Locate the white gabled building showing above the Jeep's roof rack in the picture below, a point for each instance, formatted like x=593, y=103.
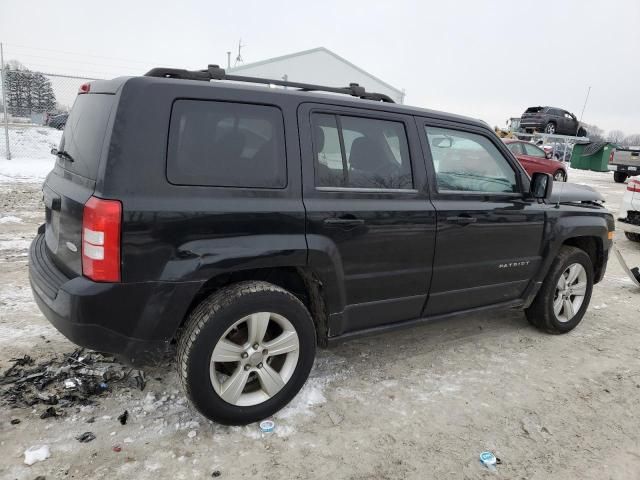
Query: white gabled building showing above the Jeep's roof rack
x=320, y=67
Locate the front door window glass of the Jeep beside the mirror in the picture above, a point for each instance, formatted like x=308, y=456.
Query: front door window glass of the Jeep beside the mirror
x=467, y=162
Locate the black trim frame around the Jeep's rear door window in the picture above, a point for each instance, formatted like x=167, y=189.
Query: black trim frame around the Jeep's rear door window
x=337, y=113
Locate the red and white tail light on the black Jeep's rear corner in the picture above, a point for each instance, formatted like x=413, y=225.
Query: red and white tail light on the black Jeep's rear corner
x=101, y=223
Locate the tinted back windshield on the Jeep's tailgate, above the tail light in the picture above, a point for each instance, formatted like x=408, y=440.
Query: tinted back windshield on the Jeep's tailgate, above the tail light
x=84, y=133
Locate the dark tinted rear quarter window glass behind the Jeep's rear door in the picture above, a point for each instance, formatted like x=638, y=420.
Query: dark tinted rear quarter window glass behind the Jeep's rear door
x=224, y=144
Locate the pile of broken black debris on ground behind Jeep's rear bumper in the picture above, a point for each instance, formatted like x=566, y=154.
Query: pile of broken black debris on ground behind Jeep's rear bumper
x=69, y=380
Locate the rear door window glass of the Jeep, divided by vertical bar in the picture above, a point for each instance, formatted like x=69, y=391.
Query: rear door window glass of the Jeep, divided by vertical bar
x=357, y=152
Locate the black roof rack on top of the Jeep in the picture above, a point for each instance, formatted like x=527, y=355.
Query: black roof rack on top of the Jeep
x=214, y=72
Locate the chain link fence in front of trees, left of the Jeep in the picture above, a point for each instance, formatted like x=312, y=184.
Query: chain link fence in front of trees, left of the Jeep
x=34, y=110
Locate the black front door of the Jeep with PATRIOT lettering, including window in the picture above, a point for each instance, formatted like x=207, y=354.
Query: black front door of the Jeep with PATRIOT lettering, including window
x=489, y=235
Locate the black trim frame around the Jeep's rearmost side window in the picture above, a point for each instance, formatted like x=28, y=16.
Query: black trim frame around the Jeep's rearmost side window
x=285, y=186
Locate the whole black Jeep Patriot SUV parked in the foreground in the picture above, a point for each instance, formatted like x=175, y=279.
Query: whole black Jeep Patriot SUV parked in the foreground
x=250, y=224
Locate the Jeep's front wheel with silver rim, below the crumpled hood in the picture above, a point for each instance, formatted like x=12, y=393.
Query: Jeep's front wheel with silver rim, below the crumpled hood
x=543, y=312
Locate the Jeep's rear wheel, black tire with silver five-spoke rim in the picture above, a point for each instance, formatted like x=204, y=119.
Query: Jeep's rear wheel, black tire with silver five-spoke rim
x=216, y=324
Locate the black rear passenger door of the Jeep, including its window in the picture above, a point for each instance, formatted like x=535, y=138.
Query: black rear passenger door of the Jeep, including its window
x=370, y=223
